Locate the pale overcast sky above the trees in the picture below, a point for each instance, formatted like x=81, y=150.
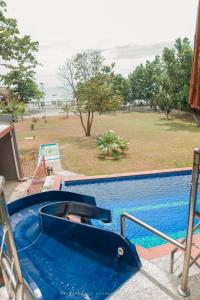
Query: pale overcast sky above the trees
x=126, y=31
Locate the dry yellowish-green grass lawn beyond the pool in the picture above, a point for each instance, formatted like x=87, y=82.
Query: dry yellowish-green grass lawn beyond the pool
x=155, y=142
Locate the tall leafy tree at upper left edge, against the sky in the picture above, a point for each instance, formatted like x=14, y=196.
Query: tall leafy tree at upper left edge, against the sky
x=18, y=56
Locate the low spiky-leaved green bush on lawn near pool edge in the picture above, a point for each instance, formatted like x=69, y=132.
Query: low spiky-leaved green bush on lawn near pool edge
x=111, y=145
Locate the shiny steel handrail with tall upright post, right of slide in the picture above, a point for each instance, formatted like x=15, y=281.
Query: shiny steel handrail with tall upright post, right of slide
x=183, y=287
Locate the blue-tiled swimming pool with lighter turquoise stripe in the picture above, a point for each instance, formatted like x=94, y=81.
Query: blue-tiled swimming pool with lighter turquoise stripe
x=161, y=200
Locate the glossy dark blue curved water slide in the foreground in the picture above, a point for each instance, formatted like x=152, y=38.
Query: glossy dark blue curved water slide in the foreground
x=66, y=259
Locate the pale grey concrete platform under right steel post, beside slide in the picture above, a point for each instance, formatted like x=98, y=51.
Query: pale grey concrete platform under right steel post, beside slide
x=152, y=283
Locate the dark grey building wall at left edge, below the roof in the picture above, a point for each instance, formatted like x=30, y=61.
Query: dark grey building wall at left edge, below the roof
x=7, y=163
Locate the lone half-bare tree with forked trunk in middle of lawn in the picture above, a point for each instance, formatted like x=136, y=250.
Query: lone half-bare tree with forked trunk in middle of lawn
x=91, y=83
